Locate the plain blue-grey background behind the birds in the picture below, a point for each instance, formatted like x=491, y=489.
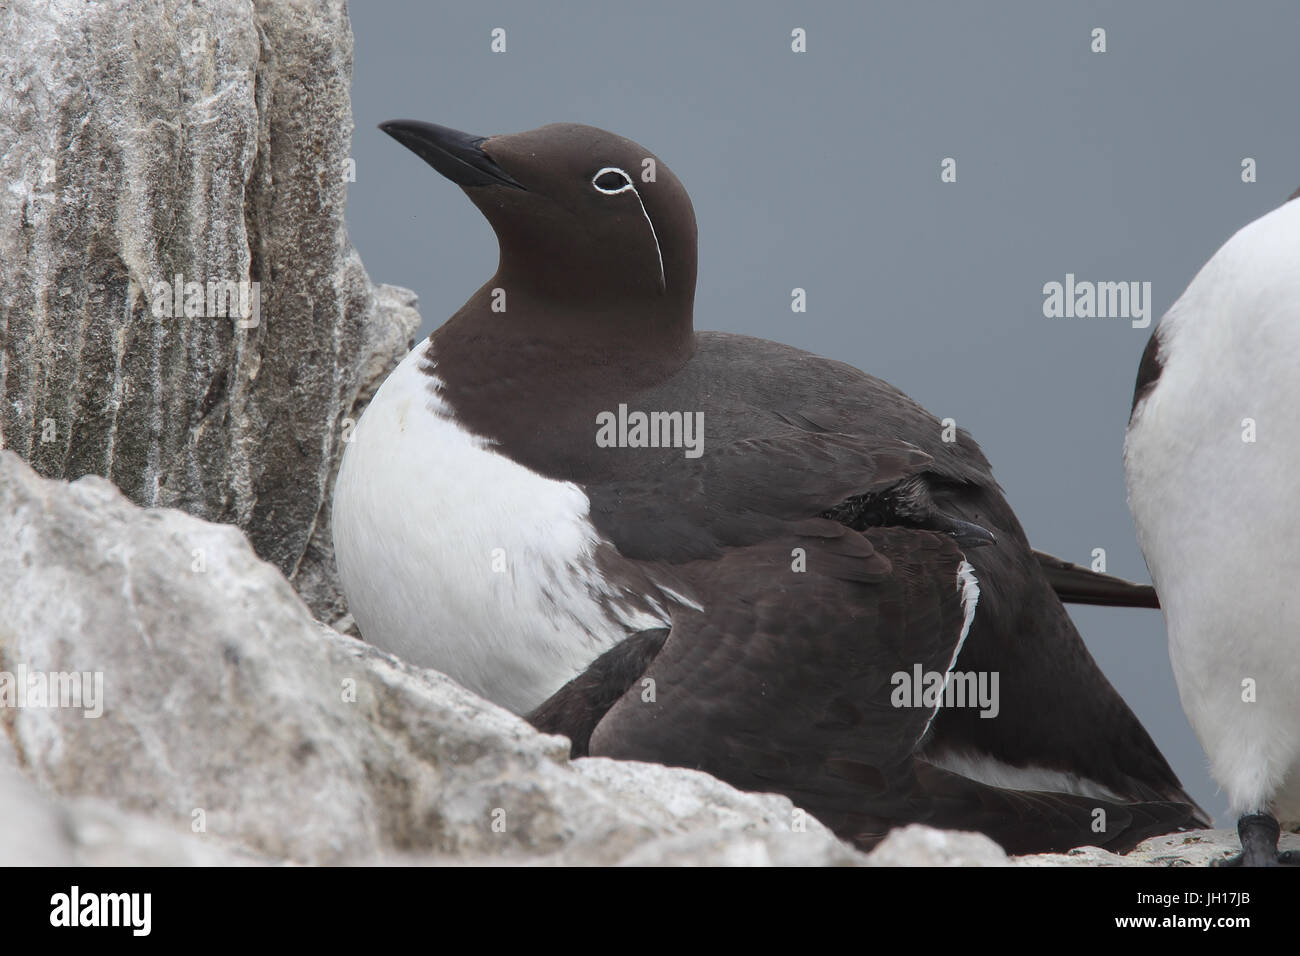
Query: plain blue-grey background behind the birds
x=821, y=171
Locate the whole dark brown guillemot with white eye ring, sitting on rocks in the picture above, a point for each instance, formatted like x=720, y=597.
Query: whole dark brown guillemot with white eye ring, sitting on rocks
x=501, y=516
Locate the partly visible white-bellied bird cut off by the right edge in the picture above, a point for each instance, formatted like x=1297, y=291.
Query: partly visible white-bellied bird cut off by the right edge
x=1211, y=458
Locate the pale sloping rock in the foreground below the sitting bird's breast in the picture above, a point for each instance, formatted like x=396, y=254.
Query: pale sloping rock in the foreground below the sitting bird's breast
x=228, y=710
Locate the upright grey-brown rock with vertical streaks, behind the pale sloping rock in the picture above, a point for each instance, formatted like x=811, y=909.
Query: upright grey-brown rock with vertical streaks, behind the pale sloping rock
x=207, y=141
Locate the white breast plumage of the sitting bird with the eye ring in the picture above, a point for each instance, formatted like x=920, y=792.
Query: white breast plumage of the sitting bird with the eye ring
x=456, y=557
